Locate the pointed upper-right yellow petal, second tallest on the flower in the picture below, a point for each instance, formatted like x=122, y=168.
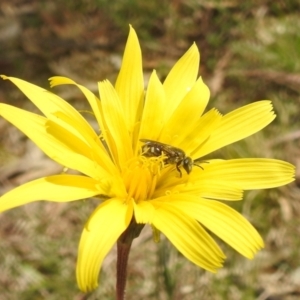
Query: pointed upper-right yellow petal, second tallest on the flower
x=181, y=79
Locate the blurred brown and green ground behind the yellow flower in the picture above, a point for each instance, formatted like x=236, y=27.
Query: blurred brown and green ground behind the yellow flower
x=250, y=50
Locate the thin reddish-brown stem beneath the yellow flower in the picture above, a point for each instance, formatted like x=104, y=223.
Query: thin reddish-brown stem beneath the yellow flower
x=123, y=249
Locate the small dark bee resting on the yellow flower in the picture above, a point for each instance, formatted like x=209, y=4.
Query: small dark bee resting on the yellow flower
x=173, y=155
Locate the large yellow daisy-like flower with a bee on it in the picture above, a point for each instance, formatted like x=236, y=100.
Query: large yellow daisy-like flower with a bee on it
x=138, y=182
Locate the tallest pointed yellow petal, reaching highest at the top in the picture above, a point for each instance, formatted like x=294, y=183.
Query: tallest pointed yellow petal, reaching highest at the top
x=130, y=82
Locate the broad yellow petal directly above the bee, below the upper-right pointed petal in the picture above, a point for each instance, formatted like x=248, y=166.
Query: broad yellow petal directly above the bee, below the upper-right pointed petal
x=186, y=114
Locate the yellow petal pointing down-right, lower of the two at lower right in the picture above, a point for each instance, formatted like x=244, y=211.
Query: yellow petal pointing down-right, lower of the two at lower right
x=188, y=236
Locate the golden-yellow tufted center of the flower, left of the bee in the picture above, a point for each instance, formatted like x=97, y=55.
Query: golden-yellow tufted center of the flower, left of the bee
x=140, y=177
